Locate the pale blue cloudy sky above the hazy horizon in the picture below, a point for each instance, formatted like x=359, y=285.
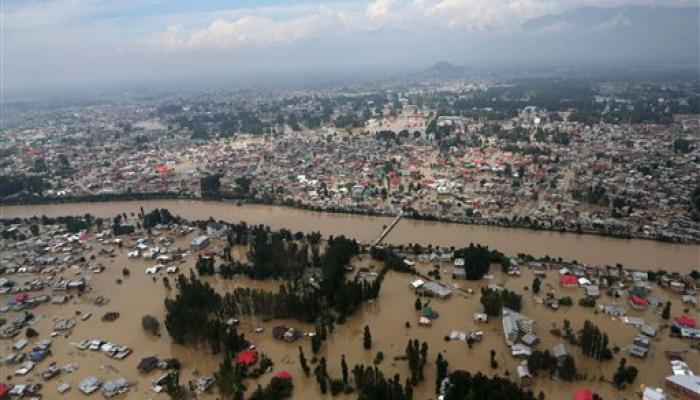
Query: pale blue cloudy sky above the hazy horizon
x=63, y=43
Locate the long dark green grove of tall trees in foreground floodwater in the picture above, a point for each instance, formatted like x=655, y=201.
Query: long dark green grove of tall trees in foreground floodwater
x=198, y=305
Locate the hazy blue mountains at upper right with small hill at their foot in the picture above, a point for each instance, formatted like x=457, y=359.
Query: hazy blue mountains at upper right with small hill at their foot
x=635, y=36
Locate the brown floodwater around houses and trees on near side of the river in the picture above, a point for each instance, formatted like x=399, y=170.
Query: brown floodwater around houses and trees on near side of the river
x=140, y=294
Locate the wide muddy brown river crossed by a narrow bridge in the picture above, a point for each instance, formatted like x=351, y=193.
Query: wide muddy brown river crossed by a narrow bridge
x=583, y=248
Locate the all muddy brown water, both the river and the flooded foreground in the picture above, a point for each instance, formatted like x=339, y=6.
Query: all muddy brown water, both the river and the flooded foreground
x=140, y=294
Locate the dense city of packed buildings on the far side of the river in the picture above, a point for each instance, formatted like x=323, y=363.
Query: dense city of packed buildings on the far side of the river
x=618, y=160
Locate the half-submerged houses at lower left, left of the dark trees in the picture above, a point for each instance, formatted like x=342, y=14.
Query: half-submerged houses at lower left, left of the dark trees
x=51, y=268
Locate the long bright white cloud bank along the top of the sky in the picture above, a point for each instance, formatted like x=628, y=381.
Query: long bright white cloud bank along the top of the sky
x=411, y=17
